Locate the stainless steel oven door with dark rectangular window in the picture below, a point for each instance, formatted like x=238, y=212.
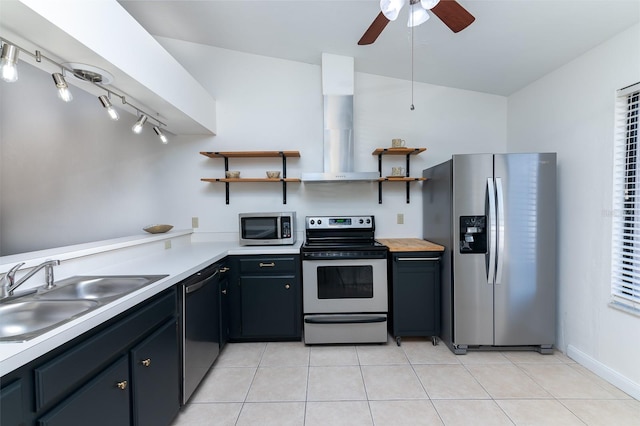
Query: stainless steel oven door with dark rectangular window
x=344, y=285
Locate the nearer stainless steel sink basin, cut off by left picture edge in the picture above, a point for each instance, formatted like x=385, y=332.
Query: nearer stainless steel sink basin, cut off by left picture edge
x=22, y=320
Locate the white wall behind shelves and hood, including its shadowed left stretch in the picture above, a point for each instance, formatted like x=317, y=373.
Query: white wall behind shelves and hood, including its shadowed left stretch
x=70, y=175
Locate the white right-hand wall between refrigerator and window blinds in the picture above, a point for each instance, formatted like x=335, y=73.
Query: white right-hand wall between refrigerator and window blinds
x=571, y=112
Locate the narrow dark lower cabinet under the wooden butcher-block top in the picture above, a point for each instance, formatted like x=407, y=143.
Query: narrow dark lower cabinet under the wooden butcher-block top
x=414, y=294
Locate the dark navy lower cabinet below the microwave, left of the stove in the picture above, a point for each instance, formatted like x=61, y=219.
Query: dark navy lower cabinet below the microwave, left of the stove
x=265, y=298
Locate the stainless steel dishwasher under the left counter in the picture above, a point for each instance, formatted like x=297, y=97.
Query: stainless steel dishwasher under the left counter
x=200, y=325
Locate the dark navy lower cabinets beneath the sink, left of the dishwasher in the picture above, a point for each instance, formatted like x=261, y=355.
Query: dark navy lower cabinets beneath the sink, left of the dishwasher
x=124, y=373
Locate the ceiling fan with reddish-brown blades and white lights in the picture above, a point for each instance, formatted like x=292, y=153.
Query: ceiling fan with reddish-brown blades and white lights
x=454, y=16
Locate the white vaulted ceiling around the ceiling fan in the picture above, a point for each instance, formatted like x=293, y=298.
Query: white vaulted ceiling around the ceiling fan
x=511, y=43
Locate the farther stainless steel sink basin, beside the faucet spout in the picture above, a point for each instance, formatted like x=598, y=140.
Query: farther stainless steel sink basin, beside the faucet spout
x=98, y=287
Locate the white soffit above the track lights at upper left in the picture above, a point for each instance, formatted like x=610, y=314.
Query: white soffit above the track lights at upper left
x=102, y=34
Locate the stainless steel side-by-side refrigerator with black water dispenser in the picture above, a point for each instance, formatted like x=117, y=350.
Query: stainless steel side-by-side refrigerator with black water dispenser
x=496, y=216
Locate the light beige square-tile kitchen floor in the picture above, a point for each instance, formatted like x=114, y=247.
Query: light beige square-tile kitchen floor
x=289, y=383
